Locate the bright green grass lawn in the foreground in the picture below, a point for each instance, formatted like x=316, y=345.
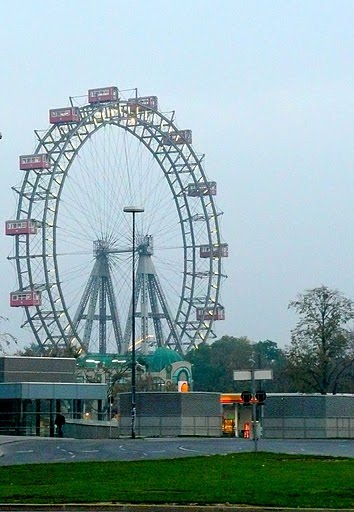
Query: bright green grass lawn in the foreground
x=246, y=478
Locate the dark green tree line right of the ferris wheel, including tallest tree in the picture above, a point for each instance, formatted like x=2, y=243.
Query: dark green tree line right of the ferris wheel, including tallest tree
x=319, y=359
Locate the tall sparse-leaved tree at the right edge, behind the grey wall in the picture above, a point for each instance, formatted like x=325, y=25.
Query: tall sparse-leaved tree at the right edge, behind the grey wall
x=322, y=349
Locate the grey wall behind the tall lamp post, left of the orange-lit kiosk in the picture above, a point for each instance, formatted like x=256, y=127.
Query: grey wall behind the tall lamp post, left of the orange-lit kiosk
x=172, y=414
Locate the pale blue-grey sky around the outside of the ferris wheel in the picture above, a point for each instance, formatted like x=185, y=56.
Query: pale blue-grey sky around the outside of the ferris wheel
x=266, y=87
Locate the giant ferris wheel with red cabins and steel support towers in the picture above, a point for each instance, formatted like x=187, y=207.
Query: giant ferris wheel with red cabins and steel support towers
x=73, y=244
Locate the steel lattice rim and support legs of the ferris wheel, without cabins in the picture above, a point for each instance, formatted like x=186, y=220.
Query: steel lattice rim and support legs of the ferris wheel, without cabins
x=36, y=257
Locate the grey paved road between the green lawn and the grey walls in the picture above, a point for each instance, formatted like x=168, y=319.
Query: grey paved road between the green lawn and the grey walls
x=29, y=450
